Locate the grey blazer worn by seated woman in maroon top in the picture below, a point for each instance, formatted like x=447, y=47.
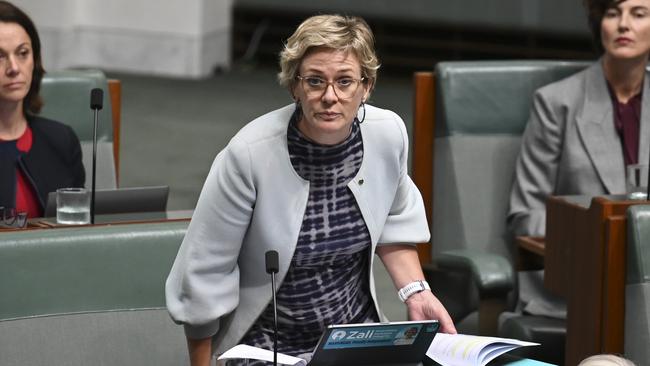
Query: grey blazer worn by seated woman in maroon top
x=570, y=147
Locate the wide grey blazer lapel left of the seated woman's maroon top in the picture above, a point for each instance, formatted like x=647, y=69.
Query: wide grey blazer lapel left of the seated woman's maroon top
x=596, y=128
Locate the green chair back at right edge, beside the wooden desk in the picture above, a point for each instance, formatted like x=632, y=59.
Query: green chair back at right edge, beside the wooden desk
x=637, y=288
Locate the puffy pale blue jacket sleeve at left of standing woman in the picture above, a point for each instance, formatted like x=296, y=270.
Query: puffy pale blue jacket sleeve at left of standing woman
x=203, y=284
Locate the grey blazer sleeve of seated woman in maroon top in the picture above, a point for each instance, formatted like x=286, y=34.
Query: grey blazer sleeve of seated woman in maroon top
x=536, y=168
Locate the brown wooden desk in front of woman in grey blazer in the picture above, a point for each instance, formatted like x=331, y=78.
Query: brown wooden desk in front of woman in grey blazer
x=585, y=263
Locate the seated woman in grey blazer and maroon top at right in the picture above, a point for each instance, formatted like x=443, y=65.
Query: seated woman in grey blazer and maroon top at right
x=584, y=130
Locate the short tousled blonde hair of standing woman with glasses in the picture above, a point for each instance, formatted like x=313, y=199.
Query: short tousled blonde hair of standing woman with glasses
x=337, y=32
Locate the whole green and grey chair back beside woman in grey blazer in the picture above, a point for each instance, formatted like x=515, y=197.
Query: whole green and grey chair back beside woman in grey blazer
x=482, y=108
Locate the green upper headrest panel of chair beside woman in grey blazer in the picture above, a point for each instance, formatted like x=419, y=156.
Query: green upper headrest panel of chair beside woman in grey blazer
x=492, y=97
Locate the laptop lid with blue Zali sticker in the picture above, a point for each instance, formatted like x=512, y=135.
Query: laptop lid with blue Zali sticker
x=398, y=343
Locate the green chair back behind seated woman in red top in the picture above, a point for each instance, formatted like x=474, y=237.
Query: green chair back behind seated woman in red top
x=66, y=97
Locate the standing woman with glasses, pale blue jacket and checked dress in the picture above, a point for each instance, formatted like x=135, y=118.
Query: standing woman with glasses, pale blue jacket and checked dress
x=324, y=182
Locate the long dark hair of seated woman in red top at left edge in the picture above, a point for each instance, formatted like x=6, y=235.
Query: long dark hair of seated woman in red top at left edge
x=11, y=14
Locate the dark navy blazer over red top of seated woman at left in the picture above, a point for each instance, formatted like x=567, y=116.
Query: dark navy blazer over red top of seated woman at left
x=54, y=161
